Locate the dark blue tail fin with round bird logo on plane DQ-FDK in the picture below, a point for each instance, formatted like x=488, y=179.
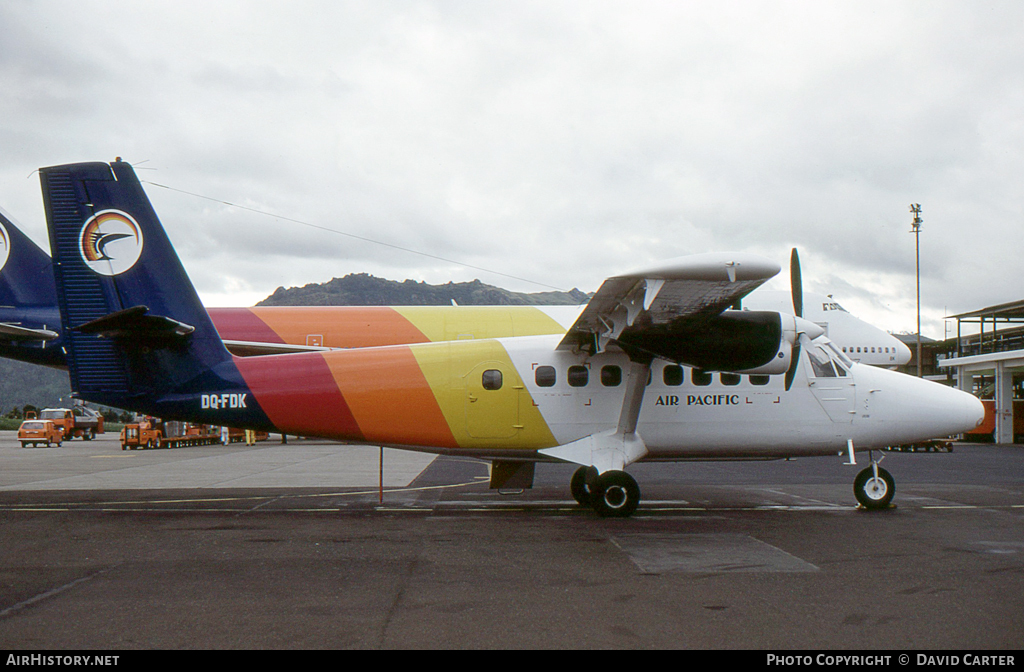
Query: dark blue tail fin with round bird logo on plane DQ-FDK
x=138, y=335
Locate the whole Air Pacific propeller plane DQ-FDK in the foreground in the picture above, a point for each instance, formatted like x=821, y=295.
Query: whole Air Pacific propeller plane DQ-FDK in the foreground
x=657, y=367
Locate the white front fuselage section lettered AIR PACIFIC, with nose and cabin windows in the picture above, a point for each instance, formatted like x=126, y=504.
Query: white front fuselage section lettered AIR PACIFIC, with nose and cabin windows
x=732, y=416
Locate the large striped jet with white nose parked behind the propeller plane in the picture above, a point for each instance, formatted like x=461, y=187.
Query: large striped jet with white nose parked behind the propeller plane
x=30, y=320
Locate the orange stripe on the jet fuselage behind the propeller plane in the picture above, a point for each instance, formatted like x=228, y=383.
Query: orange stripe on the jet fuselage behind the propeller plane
x=338, y=326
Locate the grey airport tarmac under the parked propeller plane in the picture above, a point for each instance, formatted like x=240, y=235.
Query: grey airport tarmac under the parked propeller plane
x=292, y=548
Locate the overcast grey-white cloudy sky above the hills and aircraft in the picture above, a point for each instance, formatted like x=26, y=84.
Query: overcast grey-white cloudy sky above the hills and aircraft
x=557, y=143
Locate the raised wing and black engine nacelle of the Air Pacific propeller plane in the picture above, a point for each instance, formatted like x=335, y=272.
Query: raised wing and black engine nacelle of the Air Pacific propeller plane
x=675, y=311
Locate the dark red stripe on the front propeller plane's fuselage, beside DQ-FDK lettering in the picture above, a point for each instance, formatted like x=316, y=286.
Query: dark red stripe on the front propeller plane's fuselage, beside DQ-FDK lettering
x=300, y=395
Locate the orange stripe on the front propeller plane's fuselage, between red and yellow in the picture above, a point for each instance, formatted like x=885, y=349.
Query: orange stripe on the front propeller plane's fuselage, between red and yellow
x=390, y=397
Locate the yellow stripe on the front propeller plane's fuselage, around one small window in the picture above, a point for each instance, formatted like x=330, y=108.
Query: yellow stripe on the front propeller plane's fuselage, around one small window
x=505, y=418
